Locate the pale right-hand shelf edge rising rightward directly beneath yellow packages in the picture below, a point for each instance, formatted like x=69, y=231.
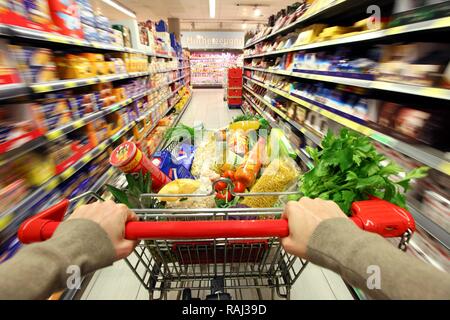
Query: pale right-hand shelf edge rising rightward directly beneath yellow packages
x=431, y=25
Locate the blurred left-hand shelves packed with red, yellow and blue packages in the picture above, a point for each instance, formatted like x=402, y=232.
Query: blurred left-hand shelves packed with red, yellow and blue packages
x=63, y=111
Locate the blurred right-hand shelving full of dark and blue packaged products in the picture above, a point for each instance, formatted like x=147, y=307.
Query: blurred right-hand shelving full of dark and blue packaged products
x=310, y=71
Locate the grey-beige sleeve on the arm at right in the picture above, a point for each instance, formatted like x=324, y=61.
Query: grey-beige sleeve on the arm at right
x=337, y=244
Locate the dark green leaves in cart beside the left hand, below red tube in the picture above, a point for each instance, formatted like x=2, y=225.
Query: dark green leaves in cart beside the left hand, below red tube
x=138, y=184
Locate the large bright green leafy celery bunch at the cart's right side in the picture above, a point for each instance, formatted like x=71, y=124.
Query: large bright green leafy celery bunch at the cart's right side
x=349, y=169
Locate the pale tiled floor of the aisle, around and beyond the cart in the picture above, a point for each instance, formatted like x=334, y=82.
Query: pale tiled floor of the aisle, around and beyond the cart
x=119, y=282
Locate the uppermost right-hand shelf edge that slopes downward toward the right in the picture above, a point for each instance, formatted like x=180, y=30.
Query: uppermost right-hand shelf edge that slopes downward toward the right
x=429, y=92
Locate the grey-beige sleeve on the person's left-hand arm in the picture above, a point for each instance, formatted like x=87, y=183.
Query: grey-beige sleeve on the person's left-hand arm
x=40, y=269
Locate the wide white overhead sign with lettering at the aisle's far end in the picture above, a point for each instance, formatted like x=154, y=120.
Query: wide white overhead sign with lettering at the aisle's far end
x=212, y=40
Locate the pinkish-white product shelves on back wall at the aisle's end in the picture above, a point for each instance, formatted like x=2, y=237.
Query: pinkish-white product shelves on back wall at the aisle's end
x=209, y=68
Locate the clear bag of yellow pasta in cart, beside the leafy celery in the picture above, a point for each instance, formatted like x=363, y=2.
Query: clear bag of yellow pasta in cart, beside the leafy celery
x=277, y=177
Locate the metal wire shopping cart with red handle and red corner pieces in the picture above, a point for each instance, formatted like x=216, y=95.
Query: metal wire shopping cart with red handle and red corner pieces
x=185, y=250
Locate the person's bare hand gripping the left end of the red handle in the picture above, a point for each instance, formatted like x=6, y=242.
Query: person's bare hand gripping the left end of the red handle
x=112, y=218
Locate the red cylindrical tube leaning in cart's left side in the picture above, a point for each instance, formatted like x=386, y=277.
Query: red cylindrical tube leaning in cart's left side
x=128, y=158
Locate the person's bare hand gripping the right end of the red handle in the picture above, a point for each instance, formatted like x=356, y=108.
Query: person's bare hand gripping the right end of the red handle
x=303, y=218
